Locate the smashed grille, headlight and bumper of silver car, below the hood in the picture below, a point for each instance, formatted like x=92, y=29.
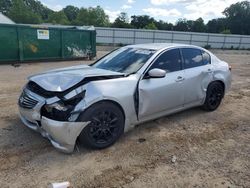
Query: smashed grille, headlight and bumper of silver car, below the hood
x=52, y=115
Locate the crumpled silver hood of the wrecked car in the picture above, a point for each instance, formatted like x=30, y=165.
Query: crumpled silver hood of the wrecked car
x=59, y=80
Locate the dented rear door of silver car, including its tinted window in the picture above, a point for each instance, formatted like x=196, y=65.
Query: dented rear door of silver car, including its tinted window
x=198, y=73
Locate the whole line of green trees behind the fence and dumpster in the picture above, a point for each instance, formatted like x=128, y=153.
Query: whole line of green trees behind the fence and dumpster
x=236, y=21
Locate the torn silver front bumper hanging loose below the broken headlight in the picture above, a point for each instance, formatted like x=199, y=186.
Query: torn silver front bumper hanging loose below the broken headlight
x=61, y=134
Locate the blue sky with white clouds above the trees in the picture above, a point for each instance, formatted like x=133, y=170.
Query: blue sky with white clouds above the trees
x=166, y=10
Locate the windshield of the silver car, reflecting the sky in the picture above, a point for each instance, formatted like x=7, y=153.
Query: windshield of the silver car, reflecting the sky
x=125, y=60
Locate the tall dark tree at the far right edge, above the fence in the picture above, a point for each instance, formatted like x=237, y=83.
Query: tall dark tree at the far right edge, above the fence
x=238, y=17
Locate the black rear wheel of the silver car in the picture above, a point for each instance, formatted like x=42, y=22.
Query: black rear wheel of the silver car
x=215, y=93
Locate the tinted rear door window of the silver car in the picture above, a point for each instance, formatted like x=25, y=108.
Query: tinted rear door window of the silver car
x=192, y=57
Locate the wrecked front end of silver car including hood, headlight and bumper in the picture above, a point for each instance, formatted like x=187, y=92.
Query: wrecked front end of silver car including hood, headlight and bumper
x=52, y=101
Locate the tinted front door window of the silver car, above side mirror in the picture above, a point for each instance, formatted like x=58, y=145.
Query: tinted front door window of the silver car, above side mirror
x=169, y=61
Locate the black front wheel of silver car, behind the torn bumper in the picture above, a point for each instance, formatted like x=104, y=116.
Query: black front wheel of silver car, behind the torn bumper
x=105, y=127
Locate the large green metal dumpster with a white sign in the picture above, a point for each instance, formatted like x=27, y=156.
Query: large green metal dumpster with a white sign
x=38, y=42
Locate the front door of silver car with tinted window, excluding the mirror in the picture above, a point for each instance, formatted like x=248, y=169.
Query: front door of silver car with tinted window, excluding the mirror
x=157, y=95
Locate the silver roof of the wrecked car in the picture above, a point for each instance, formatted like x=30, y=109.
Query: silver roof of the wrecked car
x=159, y=46
